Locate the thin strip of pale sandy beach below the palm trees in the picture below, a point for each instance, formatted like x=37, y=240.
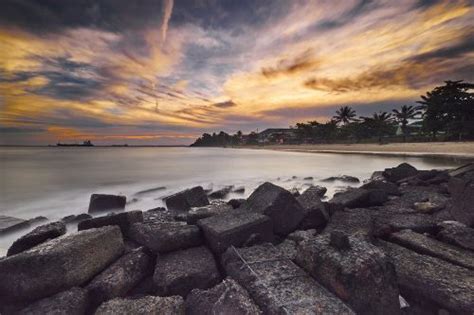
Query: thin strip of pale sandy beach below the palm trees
x=441, y=149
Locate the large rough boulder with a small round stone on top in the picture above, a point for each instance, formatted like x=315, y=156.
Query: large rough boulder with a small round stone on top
x=356, y=271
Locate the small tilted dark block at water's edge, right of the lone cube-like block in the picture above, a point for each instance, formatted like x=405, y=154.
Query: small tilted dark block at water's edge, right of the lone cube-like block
x=186, y=199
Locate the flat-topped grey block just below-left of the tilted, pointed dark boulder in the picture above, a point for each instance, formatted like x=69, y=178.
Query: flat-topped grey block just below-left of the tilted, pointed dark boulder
x=234, y=228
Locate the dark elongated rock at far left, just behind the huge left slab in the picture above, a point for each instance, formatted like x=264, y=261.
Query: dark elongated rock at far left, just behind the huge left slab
x=39, y=235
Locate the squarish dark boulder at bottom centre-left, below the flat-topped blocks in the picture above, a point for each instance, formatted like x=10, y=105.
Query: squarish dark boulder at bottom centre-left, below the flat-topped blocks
x=179, y=272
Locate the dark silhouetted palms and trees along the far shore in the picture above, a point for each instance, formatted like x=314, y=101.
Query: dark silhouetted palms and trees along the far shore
x=445, y=113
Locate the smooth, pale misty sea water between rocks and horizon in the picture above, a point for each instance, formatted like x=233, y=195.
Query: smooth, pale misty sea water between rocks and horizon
x=55, y=182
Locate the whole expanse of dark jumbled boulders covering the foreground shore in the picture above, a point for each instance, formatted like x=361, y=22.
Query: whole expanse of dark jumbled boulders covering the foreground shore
x=401, y=243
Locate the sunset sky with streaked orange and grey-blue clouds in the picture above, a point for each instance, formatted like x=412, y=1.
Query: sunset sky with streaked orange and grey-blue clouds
x=163, y=72
